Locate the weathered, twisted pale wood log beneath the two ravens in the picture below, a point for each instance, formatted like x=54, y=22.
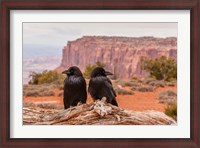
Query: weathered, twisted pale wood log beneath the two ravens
x=97, y=113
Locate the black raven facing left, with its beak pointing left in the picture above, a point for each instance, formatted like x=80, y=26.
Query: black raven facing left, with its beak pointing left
x=74, y=87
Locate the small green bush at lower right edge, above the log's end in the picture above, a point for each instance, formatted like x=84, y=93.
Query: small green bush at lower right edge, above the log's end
x=171, y=110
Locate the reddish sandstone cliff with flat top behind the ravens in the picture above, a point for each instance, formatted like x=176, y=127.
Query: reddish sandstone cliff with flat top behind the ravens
x=120, y=54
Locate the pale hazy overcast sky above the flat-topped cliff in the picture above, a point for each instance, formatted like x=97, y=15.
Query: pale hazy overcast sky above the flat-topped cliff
x=57, y=34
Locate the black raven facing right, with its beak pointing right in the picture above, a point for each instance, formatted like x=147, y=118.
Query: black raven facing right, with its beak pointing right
x=100, y=86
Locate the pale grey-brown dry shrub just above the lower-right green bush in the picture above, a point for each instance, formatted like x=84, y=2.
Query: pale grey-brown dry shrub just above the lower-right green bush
x=167, y=96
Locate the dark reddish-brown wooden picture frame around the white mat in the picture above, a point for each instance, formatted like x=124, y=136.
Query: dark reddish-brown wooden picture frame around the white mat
x=7, y=5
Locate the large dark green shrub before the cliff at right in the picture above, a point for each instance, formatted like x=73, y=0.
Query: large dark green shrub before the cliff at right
x=161, y=68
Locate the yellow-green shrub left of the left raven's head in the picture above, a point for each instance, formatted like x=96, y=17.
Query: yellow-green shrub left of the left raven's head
x=46, y=77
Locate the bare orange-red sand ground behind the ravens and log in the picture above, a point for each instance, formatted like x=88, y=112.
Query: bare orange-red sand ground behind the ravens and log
x=138, y=101
